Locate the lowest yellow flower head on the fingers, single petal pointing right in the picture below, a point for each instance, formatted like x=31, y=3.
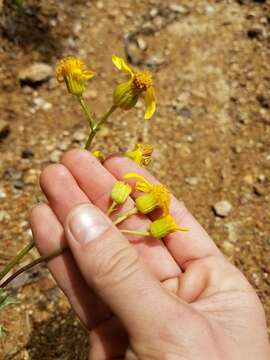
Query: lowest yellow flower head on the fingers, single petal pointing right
x=164, y=226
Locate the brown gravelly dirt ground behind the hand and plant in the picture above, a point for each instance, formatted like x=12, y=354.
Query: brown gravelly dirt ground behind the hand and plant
x=211, y=132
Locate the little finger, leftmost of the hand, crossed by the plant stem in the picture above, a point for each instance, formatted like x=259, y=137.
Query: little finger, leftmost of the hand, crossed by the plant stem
x=49, y=236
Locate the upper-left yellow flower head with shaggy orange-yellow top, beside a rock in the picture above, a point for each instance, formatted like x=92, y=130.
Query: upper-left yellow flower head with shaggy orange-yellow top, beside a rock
x=72, y=71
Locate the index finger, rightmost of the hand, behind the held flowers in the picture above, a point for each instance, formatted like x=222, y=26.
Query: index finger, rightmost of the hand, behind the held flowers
x=184, y=247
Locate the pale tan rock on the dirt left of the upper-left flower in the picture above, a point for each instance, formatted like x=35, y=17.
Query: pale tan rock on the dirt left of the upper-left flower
x=36, y=73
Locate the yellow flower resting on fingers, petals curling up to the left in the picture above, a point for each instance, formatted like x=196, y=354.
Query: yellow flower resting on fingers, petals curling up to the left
x=157, y=195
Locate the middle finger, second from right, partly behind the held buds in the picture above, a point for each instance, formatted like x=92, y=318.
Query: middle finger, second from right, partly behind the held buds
x=96, y=182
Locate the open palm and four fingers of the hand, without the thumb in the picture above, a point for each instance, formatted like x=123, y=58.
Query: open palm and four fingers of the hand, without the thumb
x=218, y=309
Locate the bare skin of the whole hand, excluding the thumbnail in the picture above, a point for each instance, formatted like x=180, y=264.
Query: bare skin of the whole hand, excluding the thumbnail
x=144, y=298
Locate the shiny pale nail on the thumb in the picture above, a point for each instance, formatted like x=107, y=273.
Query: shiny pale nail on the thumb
x=86, y=223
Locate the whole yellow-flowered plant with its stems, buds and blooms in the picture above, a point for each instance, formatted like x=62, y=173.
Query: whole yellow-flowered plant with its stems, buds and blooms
x=74, y=73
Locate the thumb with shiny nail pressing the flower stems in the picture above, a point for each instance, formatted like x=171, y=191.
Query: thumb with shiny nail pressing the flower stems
x=113, y=268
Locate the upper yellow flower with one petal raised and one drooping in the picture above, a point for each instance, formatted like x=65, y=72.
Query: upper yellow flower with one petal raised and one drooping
x=127, y=94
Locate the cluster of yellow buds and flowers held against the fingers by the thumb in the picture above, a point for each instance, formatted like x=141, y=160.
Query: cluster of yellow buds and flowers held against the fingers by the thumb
x=156, y=196
